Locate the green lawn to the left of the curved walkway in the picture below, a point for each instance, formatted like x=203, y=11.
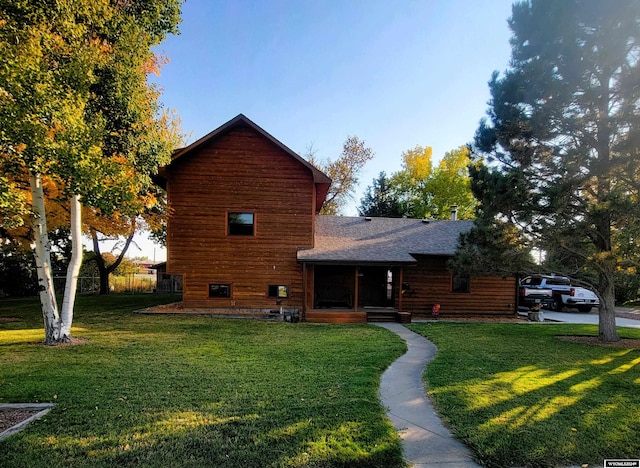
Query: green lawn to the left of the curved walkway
x=195, y=391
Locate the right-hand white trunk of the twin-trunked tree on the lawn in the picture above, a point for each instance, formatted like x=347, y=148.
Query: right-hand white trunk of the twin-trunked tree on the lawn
x=73, y=270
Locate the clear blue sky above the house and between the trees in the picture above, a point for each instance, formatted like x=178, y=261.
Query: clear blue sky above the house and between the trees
x=395, y=73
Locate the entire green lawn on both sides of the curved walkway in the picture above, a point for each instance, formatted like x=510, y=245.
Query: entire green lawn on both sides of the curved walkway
x=194, y=391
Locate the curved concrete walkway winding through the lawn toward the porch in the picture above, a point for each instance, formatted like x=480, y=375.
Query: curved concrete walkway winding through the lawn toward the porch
x=426, y=442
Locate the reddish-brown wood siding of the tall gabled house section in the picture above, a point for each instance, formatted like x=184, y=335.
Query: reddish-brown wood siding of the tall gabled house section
x=239, y=171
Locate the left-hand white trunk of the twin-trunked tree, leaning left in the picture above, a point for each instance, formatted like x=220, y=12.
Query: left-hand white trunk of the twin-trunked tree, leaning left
x=43, y=262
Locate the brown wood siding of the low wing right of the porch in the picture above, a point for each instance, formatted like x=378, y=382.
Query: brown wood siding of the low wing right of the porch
x=430, y=283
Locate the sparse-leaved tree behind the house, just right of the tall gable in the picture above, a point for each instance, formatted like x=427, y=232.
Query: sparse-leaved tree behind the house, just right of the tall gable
x=344, y=173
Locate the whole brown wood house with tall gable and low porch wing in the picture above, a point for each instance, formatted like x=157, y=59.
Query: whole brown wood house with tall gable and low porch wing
x=245, y=234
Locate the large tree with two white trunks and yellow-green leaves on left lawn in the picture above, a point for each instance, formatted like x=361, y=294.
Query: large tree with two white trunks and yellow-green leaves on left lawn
x=76, y=109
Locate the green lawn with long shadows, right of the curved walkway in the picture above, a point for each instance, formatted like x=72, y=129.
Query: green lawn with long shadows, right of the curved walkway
x=518, y=396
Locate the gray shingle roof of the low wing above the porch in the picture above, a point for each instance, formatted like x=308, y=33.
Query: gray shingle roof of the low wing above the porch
x=381, y=240
